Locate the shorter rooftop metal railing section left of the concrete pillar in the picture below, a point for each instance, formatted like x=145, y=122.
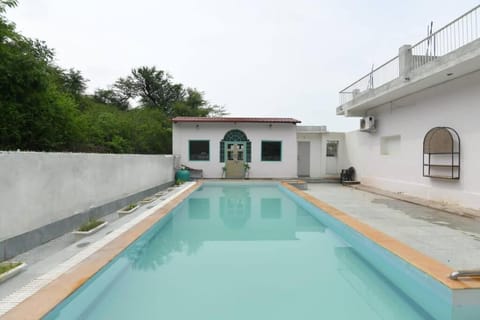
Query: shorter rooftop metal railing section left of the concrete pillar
x=377, y=77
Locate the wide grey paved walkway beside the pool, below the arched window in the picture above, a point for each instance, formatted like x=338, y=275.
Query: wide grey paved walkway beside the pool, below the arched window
x=451, y=239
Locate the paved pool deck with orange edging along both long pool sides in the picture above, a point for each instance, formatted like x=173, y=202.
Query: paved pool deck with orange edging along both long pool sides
x=434, y=235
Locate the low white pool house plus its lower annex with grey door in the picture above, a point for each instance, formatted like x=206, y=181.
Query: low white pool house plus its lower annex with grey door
x=272, y=147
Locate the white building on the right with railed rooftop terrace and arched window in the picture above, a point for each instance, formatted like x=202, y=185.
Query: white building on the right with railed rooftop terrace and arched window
x=434, y=84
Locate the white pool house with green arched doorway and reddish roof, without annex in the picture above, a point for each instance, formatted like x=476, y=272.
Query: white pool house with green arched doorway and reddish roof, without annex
x=268, y=145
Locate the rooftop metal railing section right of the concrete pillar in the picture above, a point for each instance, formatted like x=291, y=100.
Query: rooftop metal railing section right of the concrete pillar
x=454, y=35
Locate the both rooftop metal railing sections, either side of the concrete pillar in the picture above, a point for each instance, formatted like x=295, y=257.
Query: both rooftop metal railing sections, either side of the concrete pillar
x=452, y=36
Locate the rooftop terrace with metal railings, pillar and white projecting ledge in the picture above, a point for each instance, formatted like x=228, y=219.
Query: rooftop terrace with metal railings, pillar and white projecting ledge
x=446, y=54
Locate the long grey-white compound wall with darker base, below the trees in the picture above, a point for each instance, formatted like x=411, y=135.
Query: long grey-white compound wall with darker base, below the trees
x=44, y=195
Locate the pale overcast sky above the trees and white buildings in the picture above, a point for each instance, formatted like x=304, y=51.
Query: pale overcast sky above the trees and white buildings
x=255, y=57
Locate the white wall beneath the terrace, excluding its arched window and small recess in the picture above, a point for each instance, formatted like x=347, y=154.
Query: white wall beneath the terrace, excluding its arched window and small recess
x=452, y=104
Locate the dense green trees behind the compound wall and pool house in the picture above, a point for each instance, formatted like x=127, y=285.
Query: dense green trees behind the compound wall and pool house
x=44, y=107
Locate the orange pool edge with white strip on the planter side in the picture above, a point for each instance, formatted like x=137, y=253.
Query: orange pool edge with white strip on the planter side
x=35, y=304
